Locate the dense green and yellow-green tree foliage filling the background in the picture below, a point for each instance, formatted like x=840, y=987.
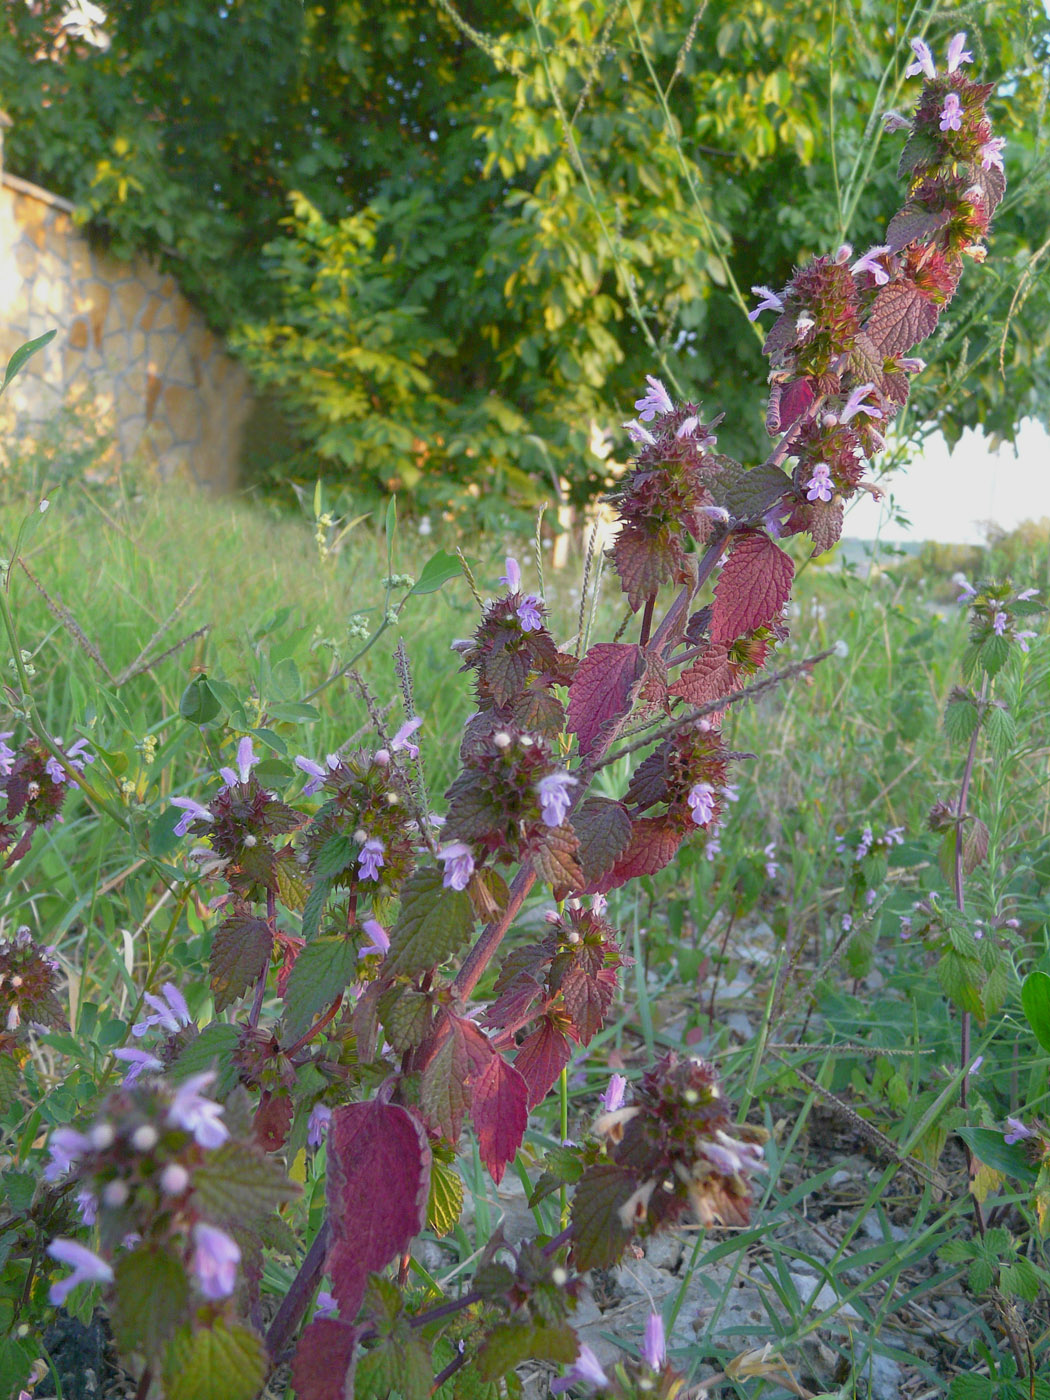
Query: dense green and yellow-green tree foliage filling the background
x=450, y=241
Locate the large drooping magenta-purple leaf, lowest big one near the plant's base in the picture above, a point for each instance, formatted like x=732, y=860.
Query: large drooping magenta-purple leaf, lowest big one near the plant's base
x=379, y=1179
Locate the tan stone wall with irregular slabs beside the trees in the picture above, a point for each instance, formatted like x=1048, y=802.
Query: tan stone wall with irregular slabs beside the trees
x=129, y=351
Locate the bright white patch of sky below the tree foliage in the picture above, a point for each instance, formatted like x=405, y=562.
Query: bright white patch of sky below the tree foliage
x=948, y=495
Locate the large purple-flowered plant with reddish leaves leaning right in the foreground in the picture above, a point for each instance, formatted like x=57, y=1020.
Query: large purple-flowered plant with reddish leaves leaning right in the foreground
x=402, y=1027
